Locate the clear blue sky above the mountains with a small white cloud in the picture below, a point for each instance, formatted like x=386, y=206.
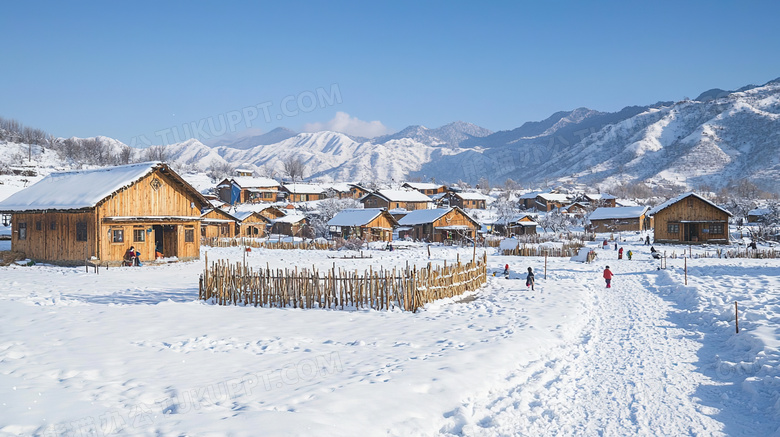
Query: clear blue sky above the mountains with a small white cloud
x=144, y=72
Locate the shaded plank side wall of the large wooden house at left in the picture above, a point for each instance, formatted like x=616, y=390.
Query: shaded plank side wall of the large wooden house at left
x=61, y=237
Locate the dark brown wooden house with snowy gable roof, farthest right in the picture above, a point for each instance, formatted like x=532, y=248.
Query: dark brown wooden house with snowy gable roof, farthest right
x=690, y=218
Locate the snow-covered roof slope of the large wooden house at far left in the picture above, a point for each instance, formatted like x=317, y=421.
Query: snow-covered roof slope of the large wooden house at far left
x=76, y=189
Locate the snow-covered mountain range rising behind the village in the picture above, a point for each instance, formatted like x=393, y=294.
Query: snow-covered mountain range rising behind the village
x=719, y=137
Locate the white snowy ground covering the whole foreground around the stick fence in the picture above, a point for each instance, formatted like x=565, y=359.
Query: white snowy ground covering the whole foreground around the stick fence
x=130, y=351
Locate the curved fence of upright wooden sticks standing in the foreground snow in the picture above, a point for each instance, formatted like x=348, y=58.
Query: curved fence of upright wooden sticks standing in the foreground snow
x=408, y=289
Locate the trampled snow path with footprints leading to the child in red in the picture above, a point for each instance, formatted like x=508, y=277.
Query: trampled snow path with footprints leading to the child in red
x=630, y=372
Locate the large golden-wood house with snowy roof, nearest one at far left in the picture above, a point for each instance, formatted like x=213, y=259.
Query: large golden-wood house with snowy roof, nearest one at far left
x=70, y=217
